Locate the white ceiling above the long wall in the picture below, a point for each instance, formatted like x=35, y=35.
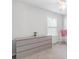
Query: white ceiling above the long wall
x=50, y=5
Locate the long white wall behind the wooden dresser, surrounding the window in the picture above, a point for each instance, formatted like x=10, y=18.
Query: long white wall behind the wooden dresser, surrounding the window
x=28, y=19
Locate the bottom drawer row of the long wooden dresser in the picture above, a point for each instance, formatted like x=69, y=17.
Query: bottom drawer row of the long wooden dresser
x=32, y=51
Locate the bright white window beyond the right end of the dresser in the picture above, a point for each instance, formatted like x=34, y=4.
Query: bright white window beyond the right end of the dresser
x=52, y=26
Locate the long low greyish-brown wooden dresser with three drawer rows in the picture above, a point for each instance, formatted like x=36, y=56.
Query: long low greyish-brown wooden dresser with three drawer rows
x=27, y=46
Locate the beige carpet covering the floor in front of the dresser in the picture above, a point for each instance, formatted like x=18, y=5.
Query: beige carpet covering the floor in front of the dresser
x=58, y=51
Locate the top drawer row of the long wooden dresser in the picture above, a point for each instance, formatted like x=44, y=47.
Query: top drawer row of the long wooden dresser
x=32, y=40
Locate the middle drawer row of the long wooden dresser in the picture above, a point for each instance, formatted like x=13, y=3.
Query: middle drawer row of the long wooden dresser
x=31, y=46
